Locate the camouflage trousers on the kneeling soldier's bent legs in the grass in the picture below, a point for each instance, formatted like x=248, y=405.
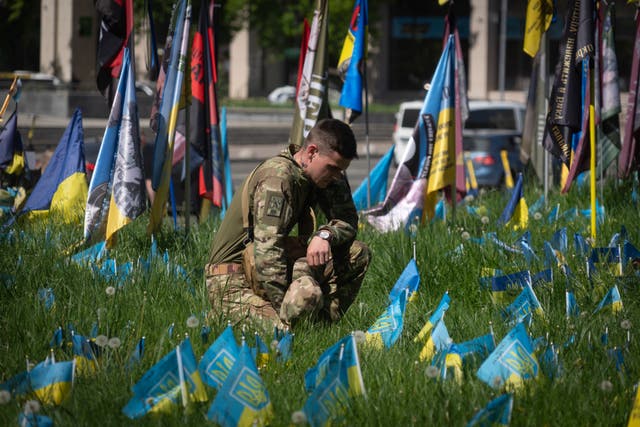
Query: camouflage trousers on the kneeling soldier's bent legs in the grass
x=317, y=293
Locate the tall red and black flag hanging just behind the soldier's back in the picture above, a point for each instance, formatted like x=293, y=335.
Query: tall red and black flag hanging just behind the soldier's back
x=204, y=117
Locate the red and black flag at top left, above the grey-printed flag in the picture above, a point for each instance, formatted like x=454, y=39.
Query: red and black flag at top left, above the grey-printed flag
x=115, y=30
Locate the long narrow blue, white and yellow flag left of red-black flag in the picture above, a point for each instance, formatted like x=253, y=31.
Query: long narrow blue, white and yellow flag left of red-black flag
x=168, y=114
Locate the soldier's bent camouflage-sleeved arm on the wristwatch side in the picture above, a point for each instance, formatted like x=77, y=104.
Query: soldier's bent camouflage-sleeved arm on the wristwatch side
x=337, y=204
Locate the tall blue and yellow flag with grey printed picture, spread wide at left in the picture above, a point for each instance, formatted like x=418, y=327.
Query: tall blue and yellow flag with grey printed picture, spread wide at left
x=117, y=193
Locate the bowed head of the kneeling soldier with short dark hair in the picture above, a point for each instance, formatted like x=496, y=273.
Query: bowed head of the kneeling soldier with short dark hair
x=327, y=151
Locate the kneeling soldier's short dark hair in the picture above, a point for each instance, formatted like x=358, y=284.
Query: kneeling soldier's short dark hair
x=334, y=135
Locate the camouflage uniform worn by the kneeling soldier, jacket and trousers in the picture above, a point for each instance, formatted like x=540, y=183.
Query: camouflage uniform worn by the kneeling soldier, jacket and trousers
x=281, y=286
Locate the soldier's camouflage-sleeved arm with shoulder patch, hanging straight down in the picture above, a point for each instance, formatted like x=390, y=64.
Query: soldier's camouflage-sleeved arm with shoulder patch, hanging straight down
x=272, y=215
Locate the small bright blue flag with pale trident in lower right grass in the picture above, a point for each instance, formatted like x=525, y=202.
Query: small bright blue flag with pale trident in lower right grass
x=512, y=362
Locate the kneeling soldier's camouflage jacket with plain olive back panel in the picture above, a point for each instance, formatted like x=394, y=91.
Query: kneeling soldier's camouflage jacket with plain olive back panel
x=279, y=198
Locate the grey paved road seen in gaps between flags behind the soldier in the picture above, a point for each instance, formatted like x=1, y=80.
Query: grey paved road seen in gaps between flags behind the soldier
x=253, y=137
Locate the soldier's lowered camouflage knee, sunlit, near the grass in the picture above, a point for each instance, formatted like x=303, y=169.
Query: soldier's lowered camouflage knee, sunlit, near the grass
x=304, y=297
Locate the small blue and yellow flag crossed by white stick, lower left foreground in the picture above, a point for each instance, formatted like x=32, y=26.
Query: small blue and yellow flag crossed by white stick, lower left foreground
x=171, y=381
